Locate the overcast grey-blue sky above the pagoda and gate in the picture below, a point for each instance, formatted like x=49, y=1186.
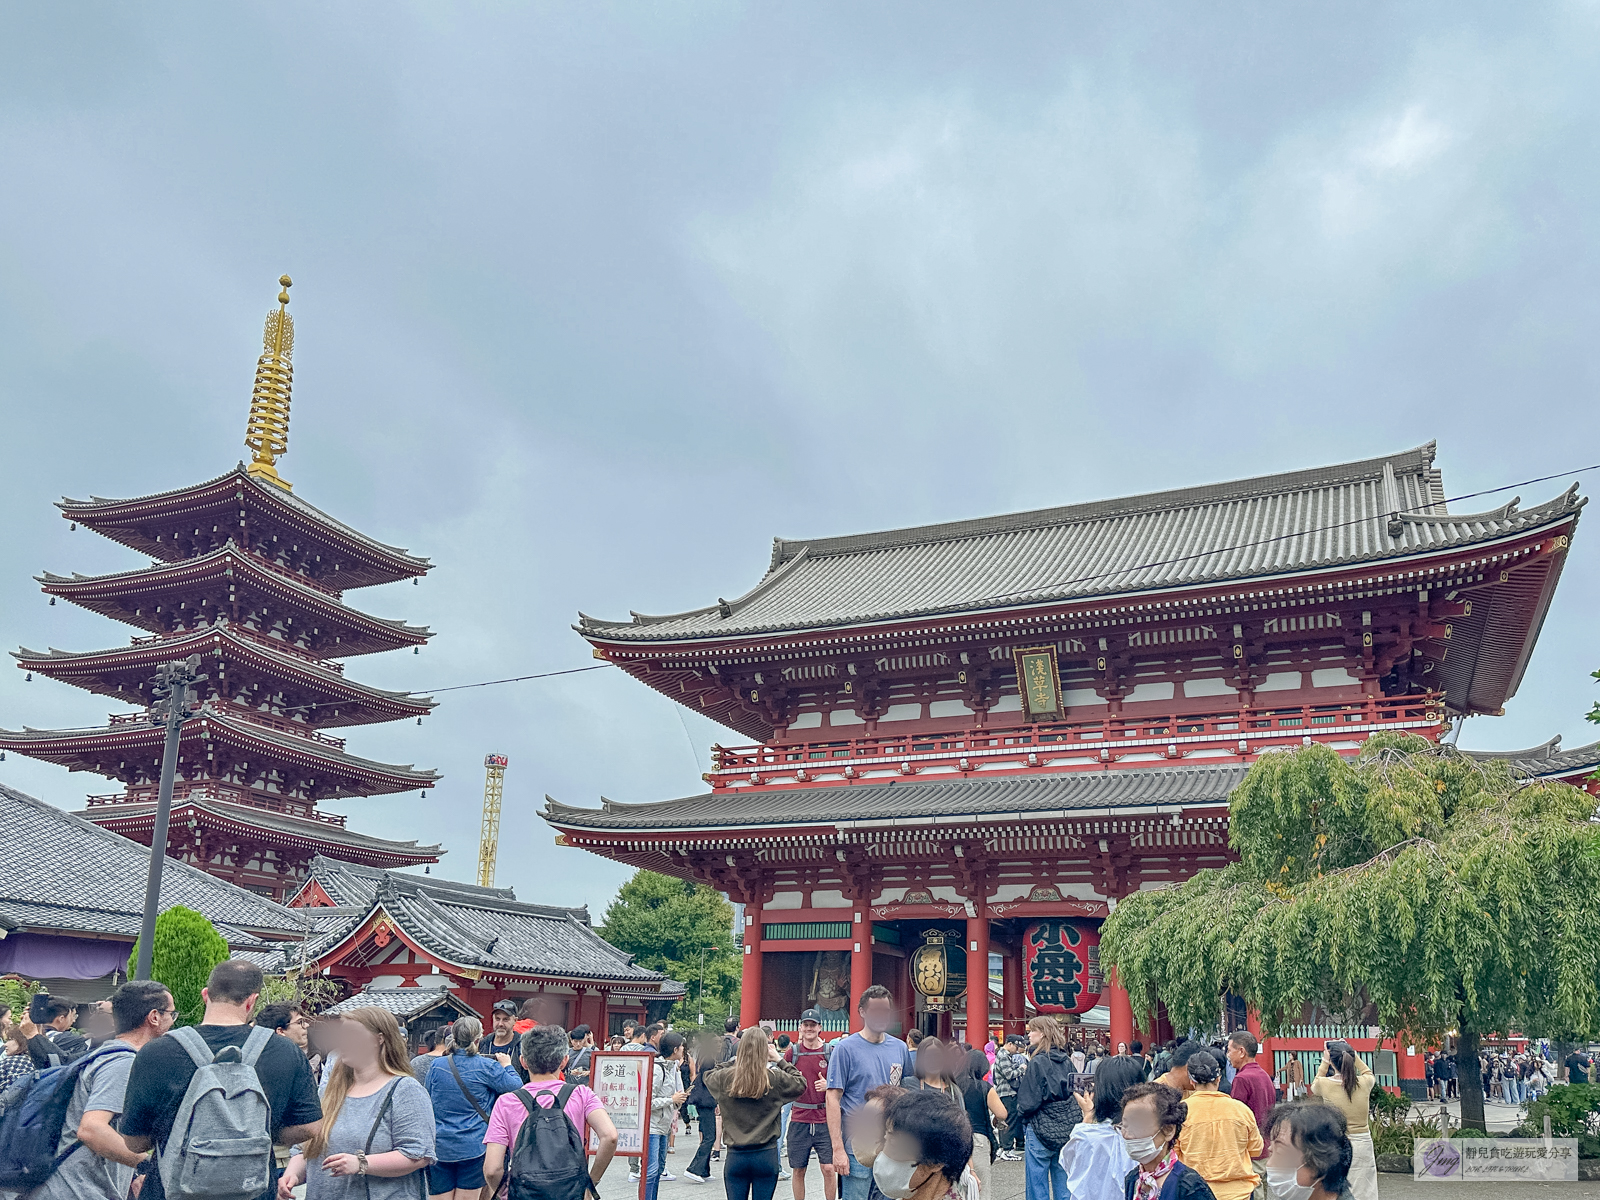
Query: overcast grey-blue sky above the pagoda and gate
x=596, y=300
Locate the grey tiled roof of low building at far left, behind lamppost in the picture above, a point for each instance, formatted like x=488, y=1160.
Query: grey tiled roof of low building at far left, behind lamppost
x=62, y=873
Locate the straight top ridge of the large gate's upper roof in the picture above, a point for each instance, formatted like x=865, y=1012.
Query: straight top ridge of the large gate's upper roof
x=1415, y=462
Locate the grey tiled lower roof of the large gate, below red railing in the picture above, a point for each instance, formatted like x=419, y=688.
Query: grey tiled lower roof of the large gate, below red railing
x=1025, y=796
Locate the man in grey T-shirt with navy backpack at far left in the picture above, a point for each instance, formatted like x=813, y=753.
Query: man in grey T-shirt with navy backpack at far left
x=76, y=1106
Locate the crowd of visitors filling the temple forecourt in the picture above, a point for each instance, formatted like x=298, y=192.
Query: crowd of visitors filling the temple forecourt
x=265, y=1103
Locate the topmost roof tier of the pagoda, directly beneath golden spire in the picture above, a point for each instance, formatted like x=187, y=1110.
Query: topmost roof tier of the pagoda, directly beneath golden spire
x=190, y=522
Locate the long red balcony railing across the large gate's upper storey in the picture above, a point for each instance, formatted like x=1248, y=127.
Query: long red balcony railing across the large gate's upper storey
x=1105, y=742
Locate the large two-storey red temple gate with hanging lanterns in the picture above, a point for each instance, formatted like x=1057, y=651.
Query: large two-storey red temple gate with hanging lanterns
x=975, y=738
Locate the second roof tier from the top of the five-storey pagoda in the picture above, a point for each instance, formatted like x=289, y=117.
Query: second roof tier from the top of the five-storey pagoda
x=239, y=585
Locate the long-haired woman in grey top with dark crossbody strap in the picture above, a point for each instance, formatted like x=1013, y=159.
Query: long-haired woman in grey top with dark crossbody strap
x=377, y=1130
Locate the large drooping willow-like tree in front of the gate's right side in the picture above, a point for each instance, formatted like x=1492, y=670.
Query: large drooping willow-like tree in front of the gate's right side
x=1441, y=890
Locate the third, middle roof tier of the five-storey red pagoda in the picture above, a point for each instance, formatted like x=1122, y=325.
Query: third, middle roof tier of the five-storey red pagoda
x=249, y=658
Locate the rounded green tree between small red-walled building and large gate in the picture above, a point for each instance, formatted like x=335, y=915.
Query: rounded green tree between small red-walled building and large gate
x=665, y=924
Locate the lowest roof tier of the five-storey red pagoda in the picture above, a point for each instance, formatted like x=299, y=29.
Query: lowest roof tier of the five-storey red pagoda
x=281, y=831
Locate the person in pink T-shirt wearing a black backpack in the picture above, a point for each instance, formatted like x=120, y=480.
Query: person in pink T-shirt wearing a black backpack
x=537, y=1134
